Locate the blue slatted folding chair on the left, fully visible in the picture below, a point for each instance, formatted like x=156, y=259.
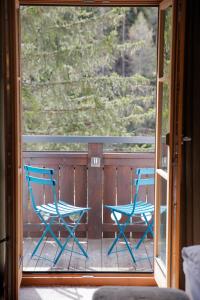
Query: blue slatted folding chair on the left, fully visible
x=52, y=211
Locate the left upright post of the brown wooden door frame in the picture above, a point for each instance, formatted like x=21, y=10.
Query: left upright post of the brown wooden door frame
x=12, y=146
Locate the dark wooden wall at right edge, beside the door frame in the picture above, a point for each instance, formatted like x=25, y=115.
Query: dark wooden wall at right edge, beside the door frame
x=190, y=200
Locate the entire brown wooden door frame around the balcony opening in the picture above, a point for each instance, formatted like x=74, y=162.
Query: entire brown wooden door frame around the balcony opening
x=13, y=150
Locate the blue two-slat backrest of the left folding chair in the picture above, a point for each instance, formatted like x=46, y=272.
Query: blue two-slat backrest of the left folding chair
x=36, y=179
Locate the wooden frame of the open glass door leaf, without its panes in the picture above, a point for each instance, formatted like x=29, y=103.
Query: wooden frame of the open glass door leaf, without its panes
x=164, y=279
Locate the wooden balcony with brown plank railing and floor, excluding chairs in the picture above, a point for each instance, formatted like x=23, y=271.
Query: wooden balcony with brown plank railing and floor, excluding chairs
x=82, y=184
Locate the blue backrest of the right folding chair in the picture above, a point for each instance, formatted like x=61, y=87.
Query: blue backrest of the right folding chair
x=141, y=181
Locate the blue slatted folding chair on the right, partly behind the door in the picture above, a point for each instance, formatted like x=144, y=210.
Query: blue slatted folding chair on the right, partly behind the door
x=136, y=208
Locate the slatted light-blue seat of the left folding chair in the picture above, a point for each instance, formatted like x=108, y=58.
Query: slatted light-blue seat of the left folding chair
x=64, y=208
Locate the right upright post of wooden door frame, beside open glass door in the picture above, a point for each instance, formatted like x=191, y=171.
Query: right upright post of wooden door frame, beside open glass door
x=177, y=91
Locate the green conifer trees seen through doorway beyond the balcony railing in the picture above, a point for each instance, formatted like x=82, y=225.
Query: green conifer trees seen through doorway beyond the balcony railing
x=88, y=71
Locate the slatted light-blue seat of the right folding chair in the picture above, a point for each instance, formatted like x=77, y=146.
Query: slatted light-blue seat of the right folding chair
x=141, y=207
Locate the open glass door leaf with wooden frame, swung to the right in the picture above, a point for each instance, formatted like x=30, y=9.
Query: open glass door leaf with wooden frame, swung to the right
x=163, y=145
